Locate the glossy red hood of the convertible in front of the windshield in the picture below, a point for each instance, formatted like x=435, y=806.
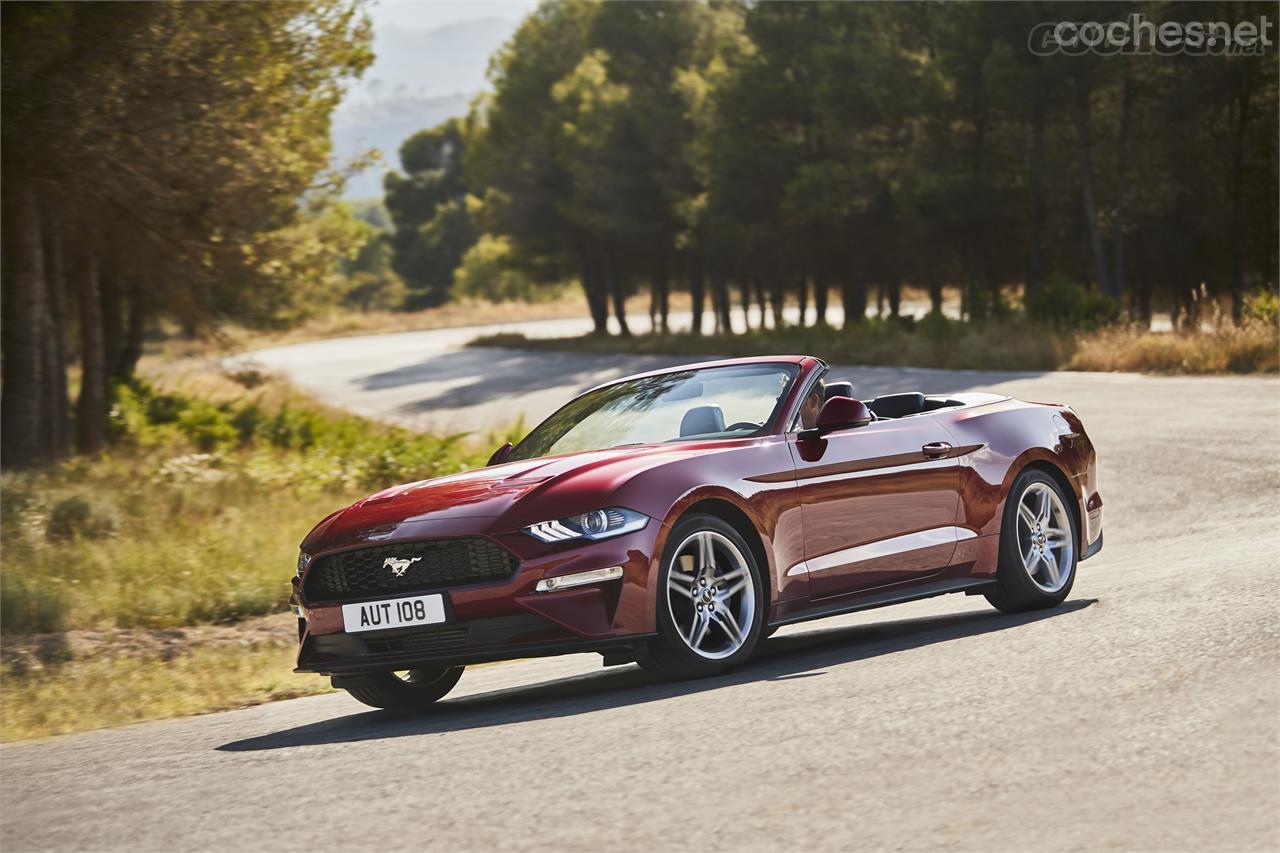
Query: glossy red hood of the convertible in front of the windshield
x=506, y=496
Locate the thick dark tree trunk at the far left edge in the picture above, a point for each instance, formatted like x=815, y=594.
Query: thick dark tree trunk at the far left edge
x=24, y=436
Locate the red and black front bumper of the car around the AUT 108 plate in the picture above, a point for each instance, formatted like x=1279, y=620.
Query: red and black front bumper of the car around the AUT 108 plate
x=506, y=619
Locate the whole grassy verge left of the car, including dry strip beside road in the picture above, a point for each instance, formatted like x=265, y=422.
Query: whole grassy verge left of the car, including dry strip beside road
x=191, y=517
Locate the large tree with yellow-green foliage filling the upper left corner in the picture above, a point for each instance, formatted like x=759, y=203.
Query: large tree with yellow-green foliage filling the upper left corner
x=157, y=154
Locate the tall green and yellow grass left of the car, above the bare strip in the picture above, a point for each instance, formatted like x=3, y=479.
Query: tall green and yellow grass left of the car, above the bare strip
x=196, y=513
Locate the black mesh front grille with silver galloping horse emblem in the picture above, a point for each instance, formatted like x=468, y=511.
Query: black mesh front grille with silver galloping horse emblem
x=435, y=564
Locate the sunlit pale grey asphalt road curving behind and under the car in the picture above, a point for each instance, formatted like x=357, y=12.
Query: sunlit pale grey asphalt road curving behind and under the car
x=1145, y=714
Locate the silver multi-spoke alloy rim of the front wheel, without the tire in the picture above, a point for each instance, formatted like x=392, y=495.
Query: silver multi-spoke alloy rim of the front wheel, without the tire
x=711, y=595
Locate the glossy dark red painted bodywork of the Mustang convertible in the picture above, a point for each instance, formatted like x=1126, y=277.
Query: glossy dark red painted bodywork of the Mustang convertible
x=838, y=521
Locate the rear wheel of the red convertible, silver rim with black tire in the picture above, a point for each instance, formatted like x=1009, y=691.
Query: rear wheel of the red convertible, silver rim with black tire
x=1037, y=546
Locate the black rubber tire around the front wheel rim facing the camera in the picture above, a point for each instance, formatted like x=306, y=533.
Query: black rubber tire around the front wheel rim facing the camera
x=669, y=655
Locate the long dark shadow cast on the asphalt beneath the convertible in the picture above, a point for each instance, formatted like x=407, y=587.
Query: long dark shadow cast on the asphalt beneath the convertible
x=779, y=660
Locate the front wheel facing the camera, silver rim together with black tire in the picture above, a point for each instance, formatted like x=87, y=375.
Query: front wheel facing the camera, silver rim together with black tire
x=711, y=601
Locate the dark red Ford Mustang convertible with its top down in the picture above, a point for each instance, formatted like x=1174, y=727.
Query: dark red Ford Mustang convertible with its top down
x=679, y=517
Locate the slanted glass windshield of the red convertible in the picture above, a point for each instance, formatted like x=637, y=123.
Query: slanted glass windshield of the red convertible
x=715, y=403
